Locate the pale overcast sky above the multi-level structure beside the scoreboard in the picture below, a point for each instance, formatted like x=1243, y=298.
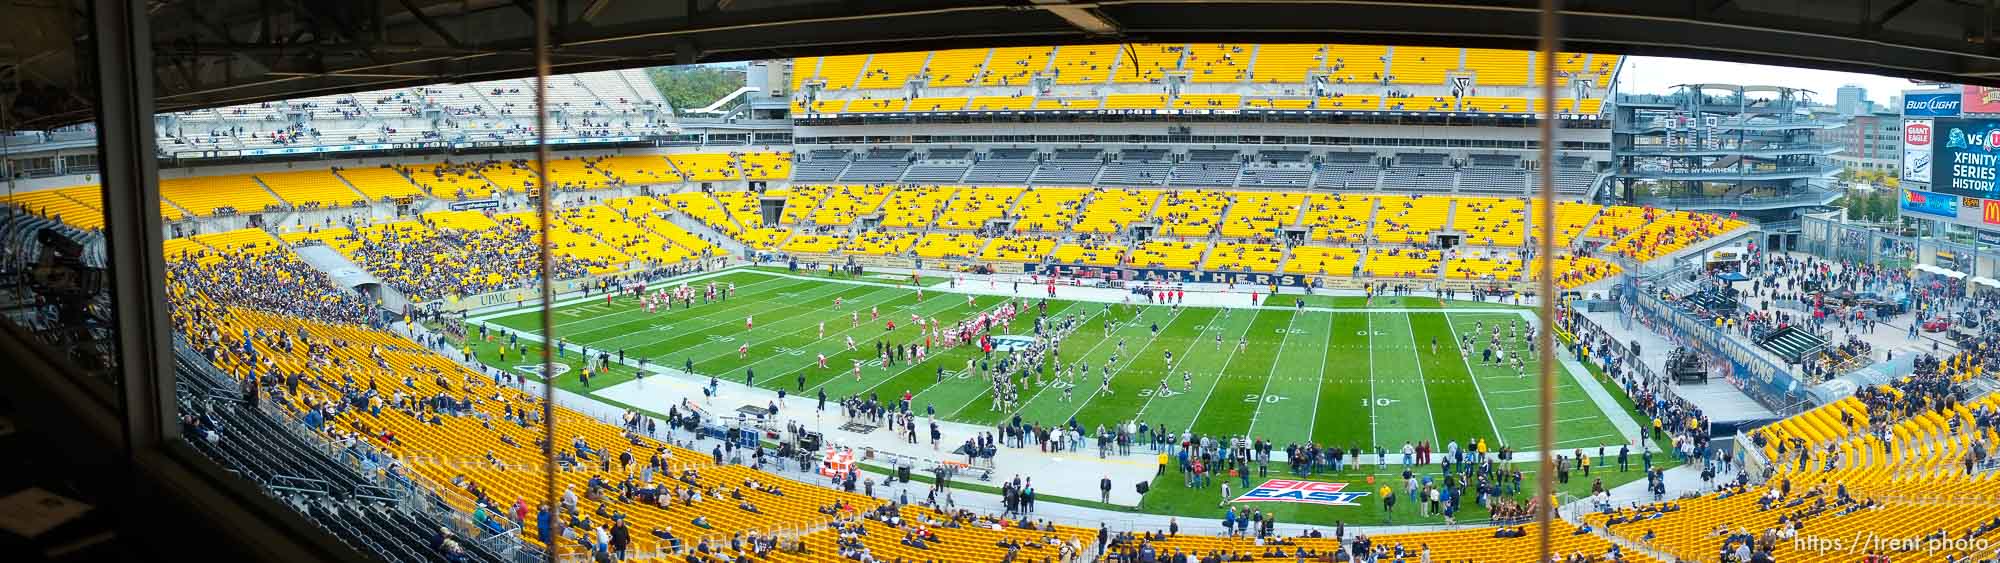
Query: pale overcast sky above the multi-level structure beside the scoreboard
x=1653, y=75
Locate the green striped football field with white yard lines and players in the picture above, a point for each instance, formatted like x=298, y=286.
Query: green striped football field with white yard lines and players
x=1343, y=372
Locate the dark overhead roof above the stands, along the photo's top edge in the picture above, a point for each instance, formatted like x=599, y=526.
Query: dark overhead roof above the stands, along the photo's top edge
x=215, y=53
